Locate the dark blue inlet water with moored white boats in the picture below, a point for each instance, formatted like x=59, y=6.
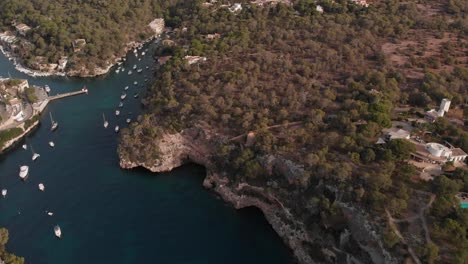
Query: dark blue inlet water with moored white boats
x=109, y=215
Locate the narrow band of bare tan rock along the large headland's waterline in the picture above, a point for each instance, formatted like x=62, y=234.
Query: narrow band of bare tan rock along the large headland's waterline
x=196, y=145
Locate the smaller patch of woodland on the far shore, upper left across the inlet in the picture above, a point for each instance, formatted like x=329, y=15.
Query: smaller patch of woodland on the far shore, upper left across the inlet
x=107, y=26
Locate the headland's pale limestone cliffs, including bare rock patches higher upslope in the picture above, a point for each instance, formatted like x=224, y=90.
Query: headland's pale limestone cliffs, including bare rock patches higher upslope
x=197, y=145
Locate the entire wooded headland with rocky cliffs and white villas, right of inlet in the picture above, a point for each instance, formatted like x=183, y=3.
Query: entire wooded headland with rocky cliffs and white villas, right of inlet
x=325, y=116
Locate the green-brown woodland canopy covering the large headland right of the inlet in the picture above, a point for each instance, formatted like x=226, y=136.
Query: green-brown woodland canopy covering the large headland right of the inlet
x=319, y=76
